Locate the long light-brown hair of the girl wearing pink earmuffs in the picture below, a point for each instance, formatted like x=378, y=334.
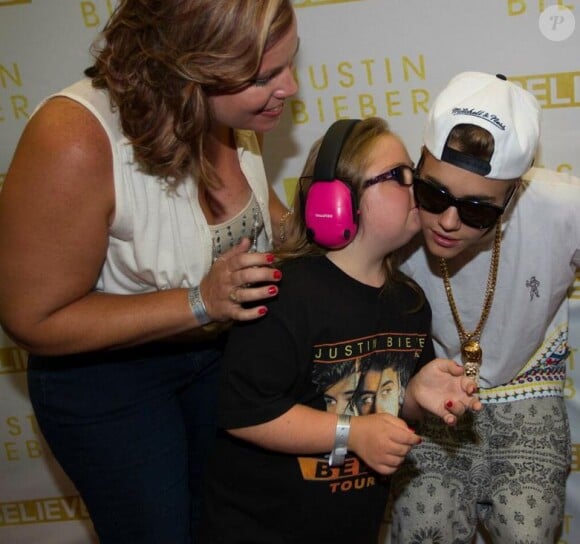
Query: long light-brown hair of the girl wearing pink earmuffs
x=352, y=165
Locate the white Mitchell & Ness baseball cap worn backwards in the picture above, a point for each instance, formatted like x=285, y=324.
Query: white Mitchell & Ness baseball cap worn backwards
x=509, y=113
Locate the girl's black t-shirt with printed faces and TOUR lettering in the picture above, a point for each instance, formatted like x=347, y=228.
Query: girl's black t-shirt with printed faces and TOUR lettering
x=333, y=344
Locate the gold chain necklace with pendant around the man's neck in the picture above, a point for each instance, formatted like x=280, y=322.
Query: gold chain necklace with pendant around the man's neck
x=470, y=347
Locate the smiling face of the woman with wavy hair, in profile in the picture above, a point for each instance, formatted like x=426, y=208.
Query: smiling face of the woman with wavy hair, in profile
x=260, y=105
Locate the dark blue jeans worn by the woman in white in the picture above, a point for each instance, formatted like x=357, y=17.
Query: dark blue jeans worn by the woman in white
x=131, y=428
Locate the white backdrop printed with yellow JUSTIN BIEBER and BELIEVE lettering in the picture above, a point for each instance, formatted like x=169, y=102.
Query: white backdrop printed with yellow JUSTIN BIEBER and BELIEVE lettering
x=357, y=58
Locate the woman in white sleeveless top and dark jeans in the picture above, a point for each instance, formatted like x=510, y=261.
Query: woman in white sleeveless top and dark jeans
x=128, y=213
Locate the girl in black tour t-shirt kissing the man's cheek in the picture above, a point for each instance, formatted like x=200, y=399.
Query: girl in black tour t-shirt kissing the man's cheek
x=295, y=385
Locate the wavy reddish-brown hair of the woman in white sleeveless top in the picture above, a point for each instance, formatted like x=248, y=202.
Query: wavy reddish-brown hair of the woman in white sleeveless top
x=161, y=59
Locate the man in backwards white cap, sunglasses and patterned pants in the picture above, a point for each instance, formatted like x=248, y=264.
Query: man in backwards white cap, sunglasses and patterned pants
x=504, y=316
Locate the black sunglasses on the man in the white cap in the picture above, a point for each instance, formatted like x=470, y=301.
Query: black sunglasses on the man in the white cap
x=474, y=213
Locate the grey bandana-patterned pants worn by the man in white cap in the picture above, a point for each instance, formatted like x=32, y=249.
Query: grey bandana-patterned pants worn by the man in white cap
x=504, y=467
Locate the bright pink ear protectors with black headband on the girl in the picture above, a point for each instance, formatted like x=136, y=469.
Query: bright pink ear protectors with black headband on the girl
x=330, y=206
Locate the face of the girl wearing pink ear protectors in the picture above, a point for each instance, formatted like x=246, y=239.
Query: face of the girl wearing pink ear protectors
x=388, y=215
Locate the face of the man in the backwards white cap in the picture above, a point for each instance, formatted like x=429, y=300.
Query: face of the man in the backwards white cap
x=446, y=235
